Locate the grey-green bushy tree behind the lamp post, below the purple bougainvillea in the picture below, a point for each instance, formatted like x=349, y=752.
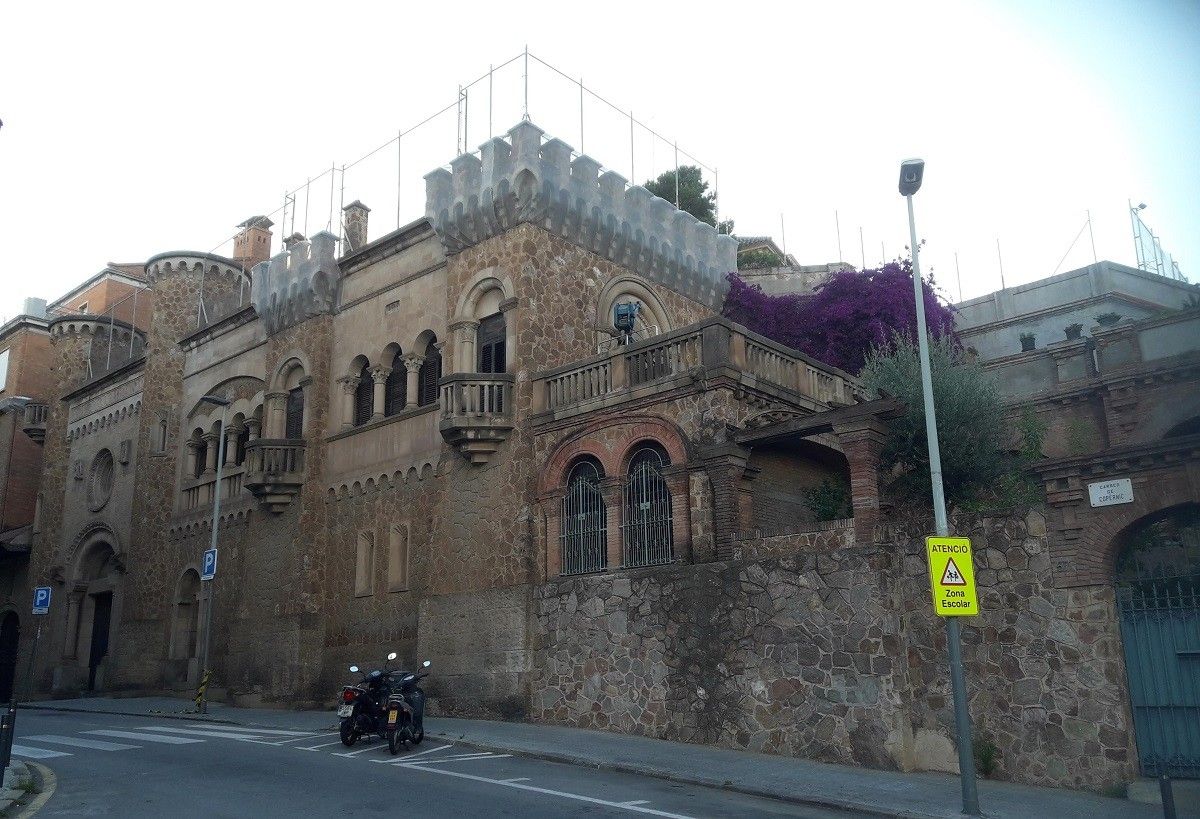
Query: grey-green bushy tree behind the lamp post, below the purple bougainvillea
x=970, y=423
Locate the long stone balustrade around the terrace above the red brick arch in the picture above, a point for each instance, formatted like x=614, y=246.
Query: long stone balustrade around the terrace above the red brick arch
x=710, y=348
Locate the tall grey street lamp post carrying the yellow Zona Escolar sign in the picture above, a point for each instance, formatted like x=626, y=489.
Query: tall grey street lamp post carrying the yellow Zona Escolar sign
x=911, y=175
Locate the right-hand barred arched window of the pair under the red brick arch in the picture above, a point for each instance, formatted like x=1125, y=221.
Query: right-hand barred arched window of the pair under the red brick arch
x=646, y=529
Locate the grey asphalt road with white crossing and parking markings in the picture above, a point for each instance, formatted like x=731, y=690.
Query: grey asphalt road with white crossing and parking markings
x=135, y=767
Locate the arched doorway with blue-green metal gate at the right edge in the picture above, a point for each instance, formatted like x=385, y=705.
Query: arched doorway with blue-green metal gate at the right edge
x=1159, y=600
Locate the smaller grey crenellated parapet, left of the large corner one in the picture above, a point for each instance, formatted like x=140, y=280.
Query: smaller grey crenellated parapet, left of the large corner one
x=301, y=283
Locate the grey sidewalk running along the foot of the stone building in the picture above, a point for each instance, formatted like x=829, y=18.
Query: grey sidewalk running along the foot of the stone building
x=921, y=796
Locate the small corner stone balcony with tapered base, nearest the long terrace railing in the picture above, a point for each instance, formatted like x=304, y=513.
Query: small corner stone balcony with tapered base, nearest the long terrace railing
x=477, y=413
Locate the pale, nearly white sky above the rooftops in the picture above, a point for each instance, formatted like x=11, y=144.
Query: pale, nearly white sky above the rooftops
x=136, y=129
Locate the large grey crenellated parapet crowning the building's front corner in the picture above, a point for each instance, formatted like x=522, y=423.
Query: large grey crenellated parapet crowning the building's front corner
x=525, y=180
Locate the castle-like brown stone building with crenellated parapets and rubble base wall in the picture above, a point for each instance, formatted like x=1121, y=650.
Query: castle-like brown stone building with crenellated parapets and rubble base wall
x=437, y=443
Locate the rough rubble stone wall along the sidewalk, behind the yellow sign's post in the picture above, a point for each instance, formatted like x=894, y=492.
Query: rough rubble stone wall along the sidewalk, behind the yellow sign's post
x=837, y=656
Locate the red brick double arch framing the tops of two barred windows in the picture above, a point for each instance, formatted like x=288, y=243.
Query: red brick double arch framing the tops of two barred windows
x=631, y=433
